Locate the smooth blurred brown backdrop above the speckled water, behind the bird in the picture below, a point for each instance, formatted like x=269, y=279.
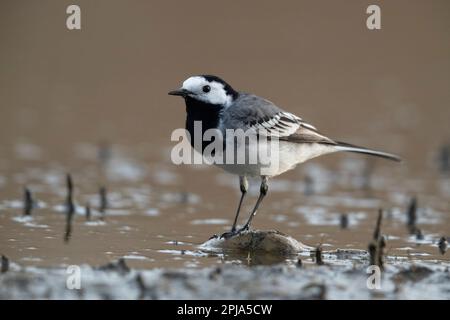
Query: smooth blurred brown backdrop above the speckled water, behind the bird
x=386, y=89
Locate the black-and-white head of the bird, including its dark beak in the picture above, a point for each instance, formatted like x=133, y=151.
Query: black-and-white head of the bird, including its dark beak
x=208, y=89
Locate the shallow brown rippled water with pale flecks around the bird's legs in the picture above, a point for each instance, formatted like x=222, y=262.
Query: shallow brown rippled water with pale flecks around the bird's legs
x=153, y=221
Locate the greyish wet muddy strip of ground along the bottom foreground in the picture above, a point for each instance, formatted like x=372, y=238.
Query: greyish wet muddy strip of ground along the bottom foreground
x=343, y=275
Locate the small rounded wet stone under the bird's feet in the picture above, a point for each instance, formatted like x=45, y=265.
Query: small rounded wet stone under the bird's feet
x=256, y=241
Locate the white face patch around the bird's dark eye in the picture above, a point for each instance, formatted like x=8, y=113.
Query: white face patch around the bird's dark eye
x=217, y=94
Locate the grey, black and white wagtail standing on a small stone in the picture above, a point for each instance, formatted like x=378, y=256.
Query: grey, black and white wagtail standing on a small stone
x=215, y=104
